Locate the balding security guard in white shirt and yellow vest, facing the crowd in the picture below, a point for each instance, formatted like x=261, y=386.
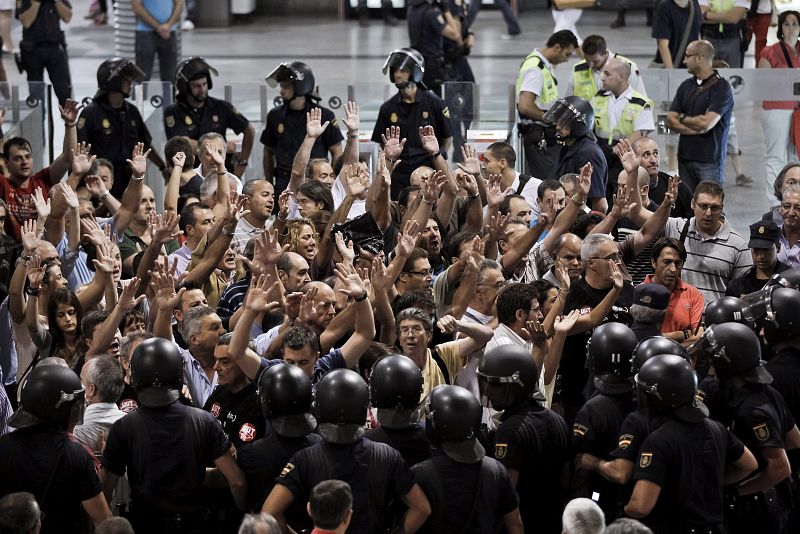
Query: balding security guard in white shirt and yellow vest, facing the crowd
x=619, y=112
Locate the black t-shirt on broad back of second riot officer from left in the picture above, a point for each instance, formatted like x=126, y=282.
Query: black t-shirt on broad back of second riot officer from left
x=165, y=452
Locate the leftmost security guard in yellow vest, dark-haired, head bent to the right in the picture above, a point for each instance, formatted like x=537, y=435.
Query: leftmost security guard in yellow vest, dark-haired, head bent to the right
x=537, y=91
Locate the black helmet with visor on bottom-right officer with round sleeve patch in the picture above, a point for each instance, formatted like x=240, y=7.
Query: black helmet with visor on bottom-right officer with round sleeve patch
x=735, y=351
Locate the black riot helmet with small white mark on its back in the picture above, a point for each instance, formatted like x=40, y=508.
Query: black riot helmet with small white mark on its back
x=608, y=355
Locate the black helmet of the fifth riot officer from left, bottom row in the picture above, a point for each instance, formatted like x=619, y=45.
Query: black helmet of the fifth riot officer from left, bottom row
x=395, y=387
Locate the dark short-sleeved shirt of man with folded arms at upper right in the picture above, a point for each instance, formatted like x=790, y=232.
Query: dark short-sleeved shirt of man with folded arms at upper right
x=716, y=96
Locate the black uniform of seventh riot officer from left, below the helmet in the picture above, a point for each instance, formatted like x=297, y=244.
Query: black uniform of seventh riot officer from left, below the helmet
x=534, y=441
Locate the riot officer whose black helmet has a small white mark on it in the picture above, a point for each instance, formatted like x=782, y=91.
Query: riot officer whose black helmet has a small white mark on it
x=598, y=422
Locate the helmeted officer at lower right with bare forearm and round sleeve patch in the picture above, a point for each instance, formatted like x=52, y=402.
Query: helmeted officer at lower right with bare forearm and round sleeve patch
x=757, y=415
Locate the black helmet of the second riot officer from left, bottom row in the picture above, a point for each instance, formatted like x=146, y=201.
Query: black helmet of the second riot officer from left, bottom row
x=157, y=372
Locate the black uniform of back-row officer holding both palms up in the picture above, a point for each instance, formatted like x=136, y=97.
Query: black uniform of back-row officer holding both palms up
x=427, y=110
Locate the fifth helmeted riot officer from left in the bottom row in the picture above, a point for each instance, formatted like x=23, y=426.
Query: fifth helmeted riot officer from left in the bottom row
x=395, y=387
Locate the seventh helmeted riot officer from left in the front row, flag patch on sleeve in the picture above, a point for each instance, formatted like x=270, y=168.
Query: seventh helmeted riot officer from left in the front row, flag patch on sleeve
x=531, y=441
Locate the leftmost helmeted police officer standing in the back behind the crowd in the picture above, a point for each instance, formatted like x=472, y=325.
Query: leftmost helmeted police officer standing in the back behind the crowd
x=112, y=125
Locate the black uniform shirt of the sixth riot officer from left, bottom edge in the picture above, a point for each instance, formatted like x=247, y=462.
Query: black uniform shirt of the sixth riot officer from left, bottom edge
x=466, y=498
